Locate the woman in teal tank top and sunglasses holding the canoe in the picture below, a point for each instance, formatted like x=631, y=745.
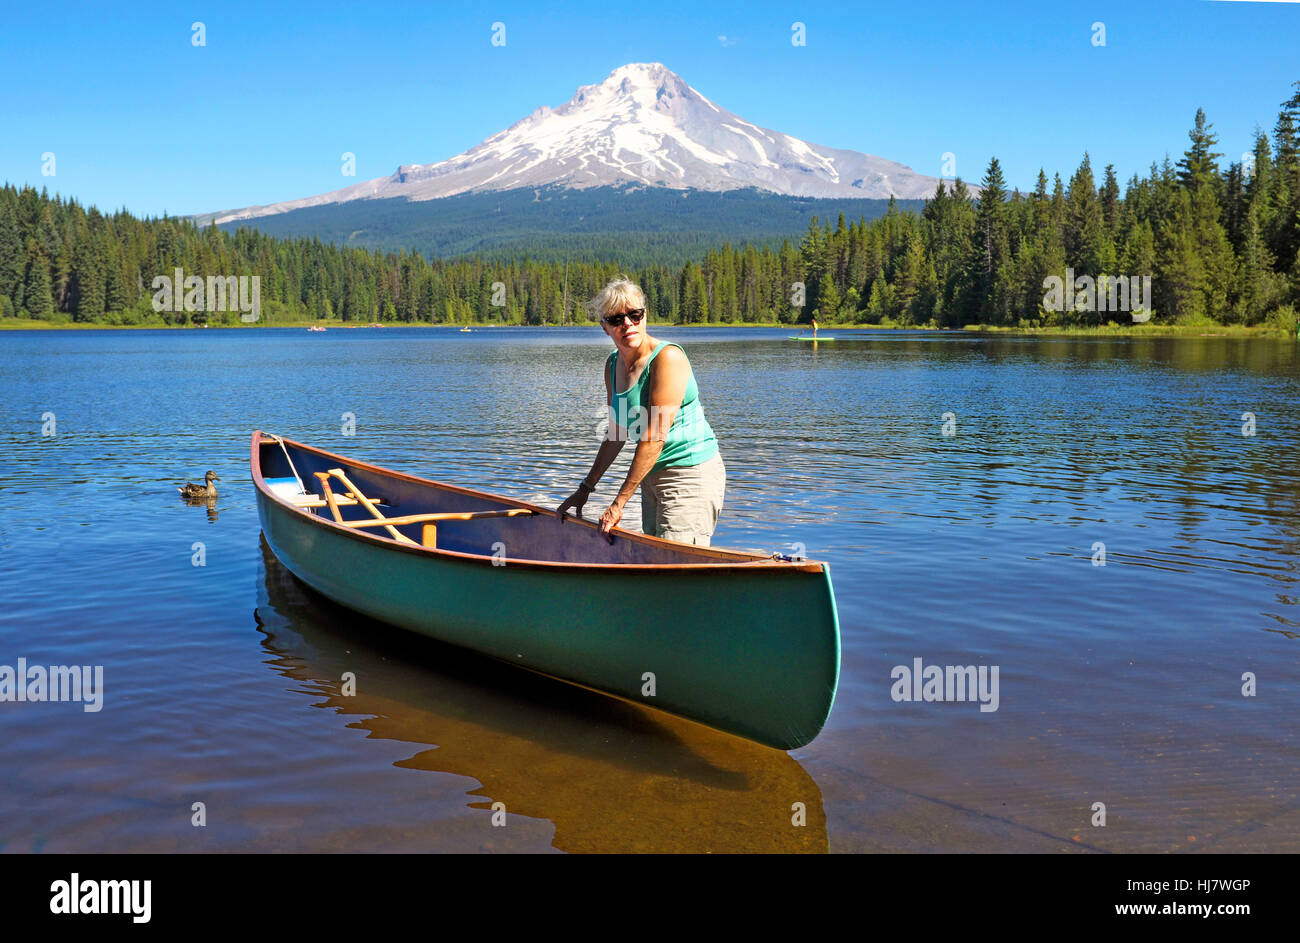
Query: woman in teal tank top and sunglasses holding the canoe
x=653, y=399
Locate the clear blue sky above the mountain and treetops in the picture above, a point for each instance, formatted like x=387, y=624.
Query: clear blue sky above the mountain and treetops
x=140, y=118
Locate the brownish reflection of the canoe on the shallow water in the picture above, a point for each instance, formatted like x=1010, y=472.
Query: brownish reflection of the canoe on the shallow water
x=610, y=776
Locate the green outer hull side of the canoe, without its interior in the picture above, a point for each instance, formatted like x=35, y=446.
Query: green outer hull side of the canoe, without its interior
x=752, y=650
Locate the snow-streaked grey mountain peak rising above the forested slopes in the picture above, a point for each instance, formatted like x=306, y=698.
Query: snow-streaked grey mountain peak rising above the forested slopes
x=643, y=126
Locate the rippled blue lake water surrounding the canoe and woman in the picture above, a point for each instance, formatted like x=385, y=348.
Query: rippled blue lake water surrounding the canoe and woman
x=1119, y=685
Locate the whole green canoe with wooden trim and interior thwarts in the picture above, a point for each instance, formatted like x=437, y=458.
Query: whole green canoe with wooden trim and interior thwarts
x=743, y=643
